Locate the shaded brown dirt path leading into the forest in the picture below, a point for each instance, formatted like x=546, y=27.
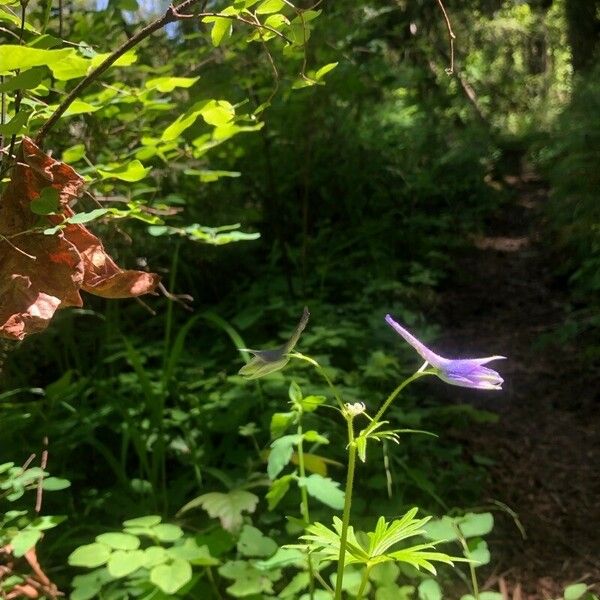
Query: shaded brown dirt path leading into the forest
x=546, y=443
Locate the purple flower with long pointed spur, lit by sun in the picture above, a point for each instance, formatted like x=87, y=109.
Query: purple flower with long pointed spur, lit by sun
x=466, y=372
